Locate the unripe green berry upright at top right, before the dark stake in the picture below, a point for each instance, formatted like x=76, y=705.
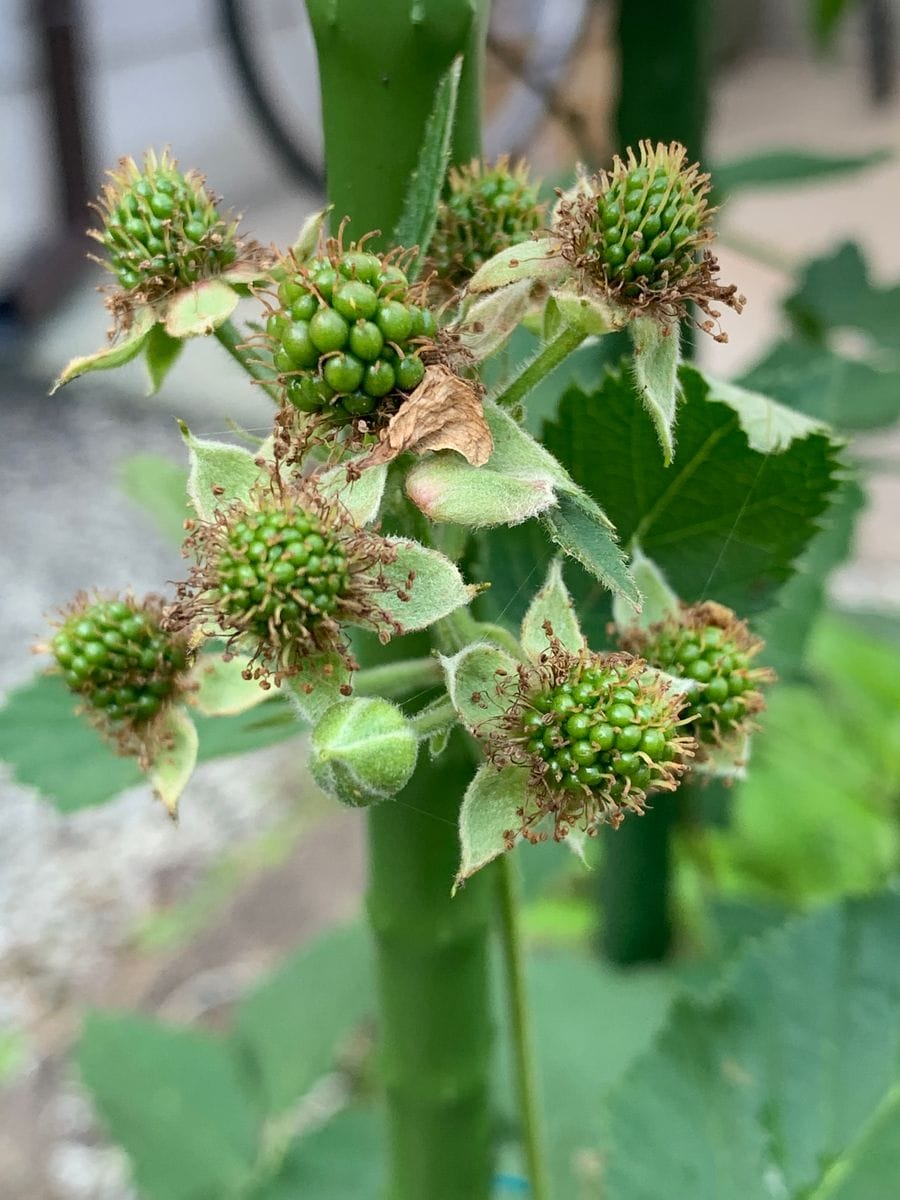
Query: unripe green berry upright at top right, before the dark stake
x=651, y=219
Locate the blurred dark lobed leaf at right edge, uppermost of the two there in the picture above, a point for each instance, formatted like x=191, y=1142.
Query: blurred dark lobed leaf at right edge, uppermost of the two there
x=837, y=293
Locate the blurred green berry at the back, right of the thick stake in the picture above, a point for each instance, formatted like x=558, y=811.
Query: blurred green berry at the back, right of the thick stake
x=487, y=211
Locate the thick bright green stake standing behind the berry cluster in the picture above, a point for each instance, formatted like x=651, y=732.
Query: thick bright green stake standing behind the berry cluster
x=380, y=65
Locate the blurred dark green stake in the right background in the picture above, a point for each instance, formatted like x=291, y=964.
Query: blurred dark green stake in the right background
x=664, y=95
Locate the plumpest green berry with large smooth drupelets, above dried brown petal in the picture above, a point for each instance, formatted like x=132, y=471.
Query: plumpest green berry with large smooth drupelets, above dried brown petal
x=347, y=338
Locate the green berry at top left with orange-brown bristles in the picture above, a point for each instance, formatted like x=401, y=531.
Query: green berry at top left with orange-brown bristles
x=163, y=229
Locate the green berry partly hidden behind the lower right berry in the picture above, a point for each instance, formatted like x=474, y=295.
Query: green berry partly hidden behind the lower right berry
x=709, y=645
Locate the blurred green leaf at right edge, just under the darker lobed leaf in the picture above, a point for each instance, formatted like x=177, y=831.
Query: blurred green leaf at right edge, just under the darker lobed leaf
x=850, y=394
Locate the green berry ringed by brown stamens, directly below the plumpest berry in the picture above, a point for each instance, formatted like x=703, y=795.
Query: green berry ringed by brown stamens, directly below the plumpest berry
x=279, y=574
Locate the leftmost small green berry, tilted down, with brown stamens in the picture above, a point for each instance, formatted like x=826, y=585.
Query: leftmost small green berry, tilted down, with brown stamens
x=128, y=669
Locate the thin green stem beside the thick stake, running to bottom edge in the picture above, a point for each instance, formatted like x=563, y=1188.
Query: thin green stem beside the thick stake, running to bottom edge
x=523, y=1033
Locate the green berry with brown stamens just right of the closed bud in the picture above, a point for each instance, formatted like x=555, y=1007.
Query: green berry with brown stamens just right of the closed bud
x=598, y=734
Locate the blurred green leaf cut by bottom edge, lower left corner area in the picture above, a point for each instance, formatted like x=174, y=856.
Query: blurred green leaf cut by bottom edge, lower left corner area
x=175, y=1101
